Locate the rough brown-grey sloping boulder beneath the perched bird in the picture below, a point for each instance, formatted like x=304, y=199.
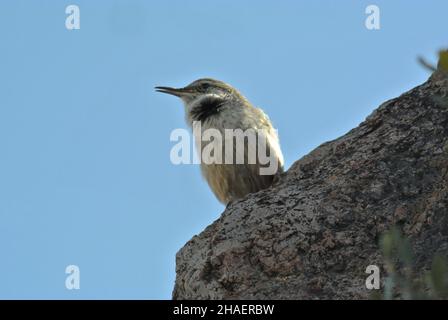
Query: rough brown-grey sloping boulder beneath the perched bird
x=313, y=233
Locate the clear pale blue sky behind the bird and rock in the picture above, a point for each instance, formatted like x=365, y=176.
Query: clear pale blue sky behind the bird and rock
x=85, y=174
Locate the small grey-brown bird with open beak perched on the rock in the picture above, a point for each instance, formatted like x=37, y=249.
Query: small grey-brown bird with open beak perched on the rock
x=219, y=106
